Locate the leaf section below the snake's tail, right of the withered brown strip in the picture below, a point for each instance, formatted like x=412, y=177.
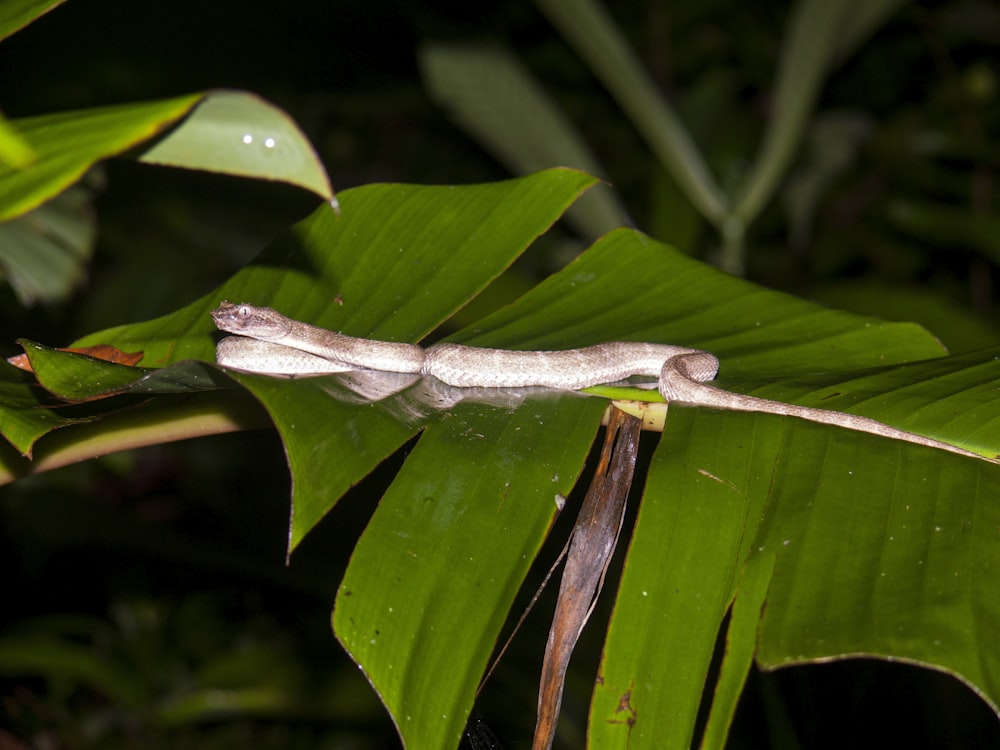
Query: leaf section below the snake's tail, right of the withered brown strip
x=864, y=591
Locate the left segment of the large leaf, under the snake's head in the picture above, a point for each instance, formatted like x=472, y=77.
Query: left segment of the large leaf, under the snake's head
x=394, y=264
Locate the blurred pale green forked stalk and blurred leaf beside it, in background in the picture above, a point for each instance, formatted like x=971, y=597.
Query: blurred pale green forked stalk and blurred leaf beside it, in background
x=496, y=100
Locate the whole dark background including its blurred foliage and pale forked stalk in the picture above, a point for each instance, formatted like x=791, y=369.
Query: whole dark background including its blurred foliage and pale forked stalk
x=843, y=152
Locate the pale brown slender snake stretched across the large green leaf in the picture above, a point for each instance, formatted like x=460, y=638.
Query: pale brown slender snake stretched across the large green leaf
x=267, y=342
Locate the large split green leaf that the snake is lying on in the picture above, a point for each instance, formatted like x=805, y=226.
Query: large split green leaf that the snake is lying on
x=736, y=505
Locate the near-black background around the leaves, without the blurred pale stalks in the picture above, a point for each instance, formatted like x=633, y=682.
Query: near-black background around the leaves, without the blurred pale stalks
x=168, y=563
